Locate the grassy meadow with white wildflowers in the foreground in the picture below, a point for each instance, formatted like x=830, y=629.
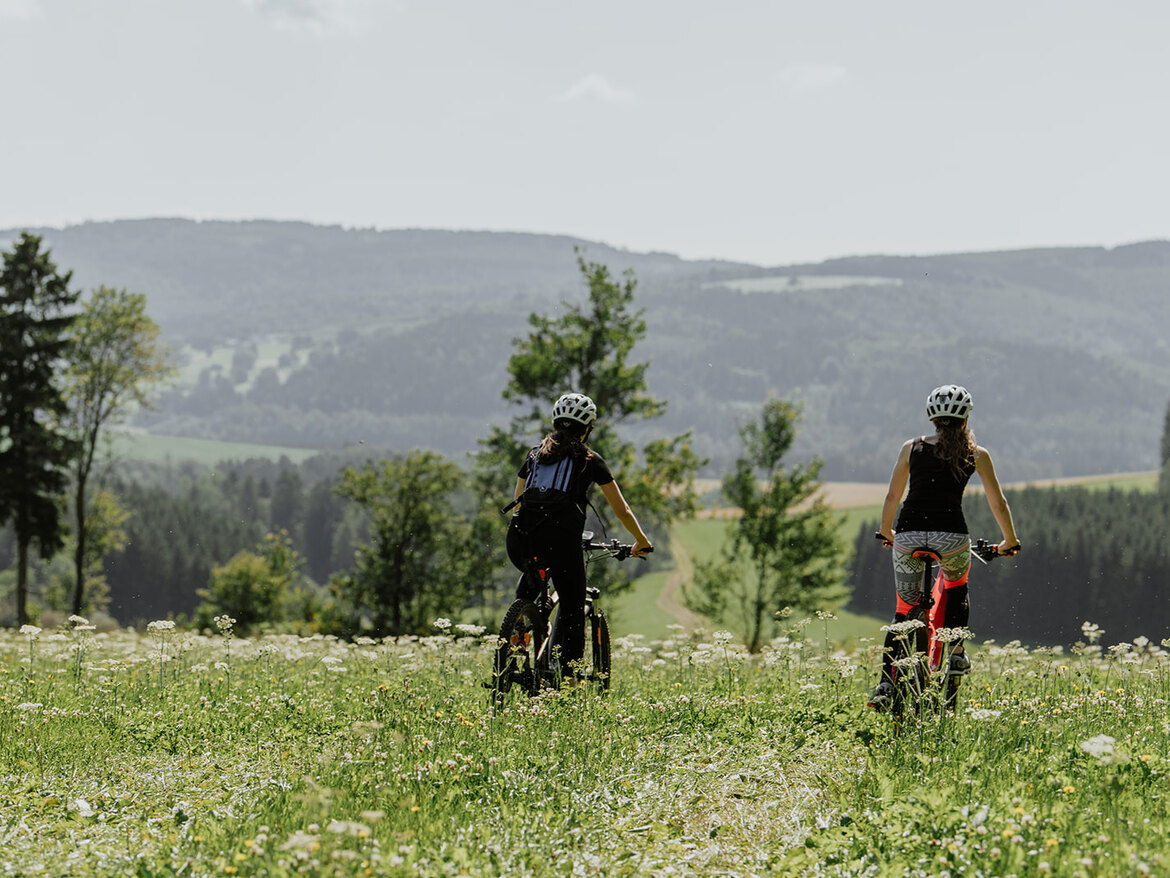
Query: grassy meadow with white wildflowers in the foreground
x=208, y=754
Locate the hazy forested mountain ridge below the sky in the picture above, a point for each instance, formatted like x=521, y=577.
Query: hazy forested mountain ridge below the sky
x=319, y=337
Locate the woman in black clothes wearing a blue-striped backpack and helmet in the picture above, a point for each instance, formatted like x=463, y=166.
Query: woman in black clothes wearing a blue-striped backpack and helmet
x=549, y=533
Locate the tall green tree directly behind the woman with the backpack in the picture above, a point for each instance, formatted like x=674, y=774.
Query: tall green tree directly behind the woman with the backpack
x=589, y=349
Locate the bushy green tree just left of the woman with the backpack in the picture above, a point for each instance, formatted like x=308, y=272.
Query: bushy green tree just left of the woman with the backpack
x=404, y=578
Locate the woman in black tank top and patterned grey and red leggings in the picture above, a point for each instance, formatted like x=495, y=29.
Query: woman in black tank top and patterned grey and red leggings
x=938, y=469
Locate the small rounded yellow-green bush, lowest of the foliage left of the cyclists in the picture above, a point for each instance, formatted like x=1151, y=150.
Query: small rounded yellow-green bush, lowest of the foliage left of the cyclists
x=254, y=588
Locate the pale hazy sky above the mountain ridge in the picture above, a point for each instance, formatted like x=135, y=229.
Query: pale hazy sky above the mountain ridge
x=768, y=132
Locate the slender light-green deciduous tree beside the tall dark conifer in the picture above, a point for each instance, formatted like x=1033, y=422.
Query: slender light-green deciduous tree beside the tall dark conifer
x=115, y=363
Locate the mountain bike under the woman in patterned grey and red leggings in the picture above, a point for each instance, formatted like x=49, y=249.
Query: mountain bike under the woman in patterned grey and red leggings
x=921, y=657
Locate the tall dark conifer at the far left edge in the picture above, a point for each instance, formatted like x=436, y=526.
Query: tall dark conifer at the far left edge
x=36, y=451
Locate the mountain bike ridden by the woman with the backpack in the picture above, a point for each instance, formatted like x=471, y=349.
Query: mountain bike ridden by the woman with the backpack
x=525, y=655
